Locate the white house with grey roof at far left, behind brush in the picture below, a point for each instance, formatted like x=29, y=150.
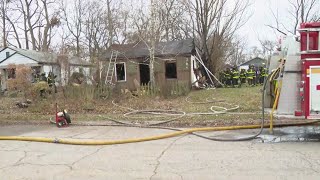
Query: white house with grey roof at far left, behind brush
x=40, y=62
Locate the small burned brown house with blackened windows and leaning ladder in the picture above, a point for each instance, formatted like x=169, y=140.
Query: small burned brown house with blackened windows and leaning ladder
x=174, y=64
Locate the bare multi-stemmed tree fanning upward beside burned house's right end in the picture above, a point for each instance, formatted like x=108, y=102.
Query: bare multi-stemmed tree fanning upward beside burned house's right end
x=215, y=22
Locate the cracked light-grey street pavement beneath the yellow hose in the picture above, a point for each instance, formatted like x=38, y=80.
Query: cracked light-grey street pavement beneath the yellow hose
x=288, y=155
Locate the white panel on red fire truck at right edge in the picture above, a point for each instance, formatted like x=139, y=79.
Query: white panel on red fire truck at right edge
x=314, y=89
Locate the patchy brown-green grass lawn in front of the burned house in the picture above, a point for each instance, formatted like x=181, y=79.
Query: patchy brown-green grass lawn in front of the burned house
x=198, y=101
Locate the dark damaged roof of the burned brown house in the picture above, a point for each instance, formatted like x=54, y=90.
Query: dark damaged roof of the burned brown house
x=138, y=50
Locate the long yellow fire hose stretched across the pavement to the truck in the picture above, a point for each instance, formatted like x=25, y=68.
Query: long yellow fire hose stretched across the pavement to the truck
x=157, y=137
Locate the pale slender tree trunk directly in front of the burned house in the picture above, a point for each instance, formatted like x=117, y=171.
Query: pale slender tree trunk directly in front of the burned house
x=152, y=40
